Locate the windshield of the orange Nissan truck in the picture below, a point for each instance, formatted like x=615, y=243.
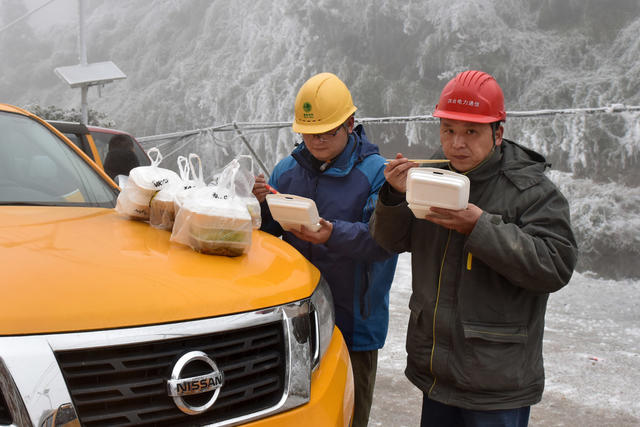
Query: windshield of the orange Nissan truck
x=38, y=168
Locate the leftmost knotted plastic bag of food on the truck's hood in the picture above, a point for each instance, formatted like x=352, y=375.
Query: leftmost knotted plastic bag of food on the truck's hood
x=143, y=184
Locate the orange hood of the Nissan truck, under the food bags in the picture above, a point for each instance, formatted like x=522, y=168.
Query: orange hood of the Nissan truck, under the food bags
x=78, y=269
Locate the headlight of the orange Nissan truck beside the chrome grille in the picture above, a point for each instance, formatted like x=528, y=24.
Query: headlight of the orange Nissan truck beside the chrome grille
x=323, y=321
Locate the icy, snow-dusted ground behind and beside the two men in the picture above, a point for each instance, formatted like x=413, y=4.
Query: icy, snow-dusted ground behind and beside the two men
x=591, y=351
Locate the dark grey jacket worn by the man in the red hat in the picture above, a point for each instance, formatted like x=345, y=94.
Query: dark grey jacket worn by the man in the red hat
x=477, y=309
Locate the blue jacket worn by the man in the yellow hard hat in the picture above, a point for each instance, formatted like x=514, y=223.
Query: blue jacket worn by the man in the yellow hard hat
x=357, y=269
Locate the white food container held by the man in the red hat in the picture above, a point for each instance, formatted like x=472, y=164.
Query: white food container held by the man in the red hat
x=441, y=188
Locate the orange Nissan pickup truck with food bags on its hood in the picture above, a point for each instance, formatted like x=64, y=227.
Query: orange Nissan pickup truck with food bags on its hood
x=104, y=321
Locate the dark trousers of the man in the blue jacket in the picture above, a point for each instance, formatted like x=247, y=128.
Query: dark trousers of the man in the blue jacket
x=364, y=364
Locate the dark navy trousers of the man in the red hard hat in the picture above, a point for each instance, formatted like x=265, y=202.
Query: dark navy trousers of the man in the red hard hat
x=436, y=414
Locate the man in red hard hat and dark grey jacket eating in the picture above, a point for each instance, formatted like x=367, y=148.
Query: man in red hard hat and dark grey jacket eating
x=481, y=275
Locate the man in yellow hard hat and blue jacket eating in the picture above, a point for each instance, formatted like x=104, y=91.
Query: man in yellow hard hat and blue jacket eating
x=337, y=167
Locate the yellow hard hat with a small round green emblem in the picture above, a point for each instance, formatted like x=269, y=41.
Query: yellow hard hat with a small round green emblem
x=323, y=103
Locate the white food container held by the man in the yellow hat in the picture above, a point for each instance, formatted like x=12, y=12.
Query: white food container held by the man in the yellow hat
x=292, y=211
